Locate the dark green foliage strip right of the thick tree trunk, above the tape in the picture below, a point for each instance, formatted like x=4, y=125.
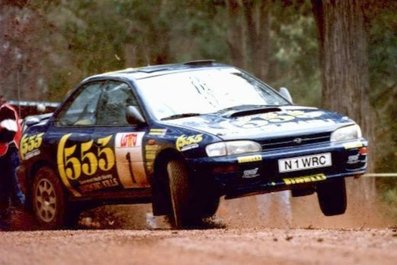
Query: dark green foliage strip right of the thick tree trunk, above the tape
x=383, y=79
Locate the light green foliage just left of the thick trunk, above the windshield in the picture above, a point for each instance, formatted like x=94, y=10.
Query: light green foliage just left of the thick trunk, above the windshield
x=295, y=51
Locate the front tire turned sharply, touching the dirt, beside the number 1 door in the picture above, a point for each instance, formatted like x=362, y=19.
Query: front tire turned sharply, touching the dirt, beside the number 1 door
x=178, y=178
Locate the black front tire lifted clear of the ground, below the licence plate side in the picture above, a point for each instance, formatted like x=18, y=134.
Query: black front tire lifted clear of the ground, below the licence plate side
x=332, y=197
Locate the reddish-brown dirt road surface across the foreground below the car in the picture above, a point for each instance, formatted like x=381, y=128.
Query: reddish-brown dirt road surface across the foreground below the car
x=214, y=246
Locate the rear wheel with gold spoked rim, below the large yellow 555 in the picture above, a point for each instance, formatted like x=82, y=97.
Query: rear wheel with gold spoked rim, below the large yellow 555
x=49, y=201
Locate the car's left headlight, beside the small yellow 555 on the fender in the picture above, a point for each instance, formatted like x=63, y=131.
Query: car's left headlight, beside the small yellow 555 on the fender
x=232, y=148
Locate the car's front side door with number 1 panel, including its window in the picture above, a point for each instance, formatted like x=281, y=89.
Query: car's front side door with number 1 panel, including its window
x=113, y=129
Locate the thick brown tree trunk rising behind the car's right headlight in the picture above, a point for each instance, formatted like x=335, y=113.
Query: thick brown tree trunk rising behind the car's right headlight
x=345, y=78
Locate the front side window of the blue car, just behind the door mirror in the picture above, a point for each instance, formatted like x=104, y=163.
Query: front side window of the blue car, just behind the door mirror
x=113, y=104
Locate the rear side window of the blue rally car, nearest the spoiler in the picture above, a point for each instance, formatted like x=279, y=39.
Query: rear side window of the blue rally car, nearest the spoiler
x=80, y=111
